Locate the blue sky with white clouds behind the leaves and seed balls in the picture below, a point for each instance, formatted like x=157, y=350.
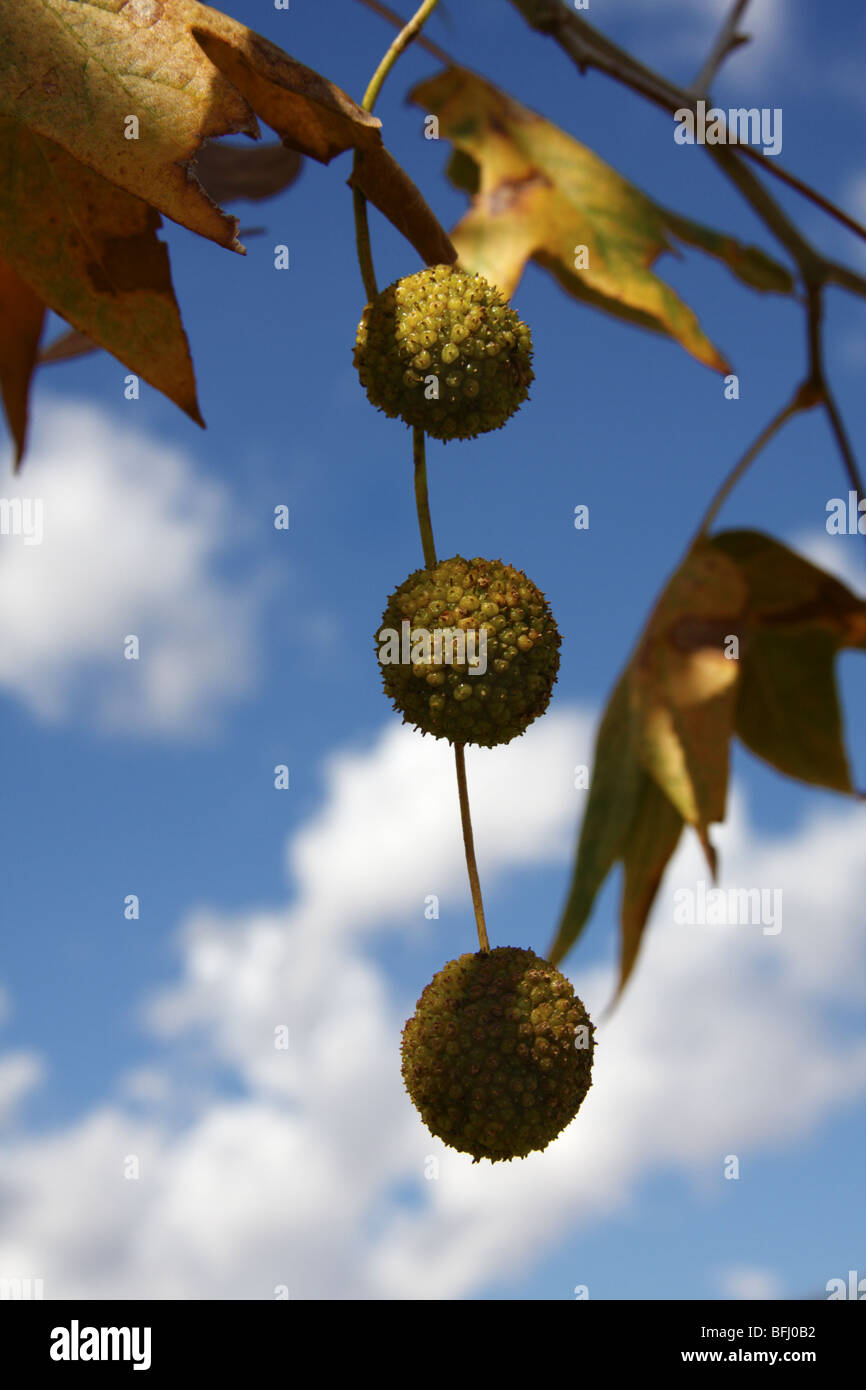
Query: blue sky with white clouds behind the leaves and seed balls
x=307, y=907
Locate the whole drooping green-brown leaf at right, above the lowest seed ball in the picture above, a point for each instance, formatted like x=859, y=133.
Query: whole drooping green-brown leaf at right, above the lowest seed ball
x=743, y=641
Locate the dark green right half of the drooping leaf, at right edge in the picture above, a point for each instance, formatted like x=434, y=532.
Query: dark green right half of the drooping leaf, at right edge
x=800, y=619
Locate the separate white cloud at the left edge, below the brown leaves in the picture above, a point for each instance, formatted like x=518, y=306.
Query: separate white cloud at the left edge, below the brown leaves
x=134, y=537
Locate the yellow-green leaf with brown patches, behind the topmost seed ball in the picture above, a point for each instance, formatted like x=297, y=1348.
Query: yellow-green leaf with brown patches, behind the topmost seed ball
x=540, y=195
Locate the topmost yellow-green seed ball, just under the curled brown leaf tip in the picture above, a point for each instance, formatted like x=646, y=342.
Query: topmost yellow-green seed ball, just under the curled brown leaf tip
x=443, y=350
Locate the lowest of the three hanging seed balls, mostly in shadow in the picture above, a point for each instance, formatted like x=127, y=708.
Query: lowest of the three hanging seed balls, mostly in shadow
x=498, y=1056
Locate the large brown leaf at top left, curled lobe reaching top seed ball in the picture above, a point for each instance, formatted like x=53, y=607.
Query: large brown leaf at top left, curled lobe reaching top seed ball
x=113, y=99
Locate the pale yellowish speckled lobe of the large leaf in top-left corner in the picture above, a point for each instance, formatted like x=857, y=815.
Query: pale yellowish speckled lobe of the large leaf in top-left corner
x=74, y=73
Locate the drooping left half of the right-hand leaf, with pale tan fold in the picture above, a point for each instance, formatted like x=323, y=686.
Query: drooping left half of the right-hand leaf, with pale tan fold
x=662, y=755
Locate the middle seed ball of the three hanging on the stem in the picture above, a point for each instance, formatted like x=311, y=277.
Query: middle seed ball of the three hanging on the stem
x=469, y=651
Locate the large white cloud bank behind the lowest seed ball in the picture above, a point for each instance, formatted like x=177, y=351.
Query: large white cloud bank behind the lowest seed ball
x=725, y=1043
